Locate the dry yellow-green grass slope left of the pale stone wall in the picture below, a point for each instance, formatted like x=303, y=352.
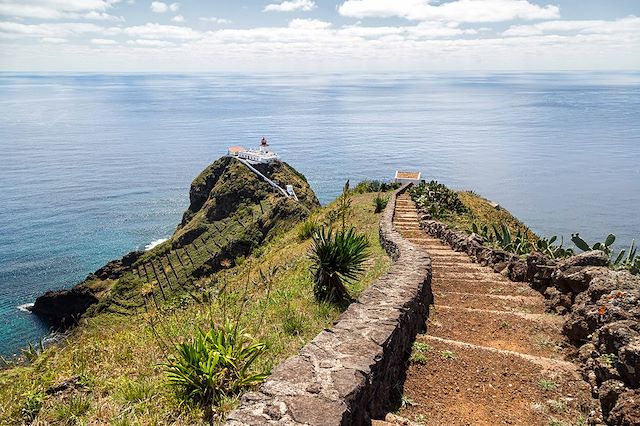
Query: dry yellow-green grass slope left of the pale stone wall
x=117, y=358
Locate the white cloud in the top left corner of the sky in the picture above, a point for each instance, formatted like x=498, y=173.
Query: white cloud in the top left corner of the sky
x=58, y=9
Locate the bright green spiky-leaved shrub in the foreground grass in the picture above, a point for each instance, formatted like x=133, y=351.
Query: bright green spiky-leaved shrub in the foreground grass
x=216, y=364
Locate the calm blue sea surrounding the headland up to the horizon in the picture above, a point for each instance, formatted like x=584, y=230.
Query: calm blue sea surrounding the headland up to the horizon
x=93, y=166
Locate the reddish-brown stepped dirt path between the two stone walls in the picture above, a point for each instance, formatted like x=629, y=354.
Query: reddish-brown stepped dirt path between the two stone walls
x=491, y=355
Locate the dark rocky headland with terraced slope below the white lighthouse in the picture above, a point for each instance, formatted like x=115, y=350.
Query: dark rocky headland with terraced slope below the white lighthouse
x=232, y=211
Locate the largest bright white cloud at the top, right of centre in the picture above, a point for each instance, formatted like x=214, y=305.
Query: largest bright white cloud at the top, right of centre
x=458, y=10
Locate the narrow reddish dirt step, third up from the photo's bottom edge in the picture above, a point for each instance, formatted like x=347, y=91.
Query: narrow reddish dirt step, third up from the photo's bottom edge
x=526, y=304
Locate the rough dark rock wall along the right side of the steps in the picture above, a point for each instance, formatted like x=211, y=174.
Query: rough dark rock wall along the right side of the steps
x=601, y=308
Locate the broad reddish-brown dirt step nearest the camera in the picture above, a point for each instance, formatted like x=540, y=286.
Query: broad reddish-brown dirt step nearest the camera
x=466, y=384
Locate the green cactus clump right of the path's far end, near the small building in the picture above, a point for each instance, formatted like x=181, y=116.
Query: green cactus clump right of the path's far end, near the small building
x=437, y=199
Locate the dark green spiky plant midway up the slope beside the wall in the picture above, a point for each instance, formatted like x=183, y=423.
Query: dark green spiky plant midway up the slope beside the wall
x=337, y=260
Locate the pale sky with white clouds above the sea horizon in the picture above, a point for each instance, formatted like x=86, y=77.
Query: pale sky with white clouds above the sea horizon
x=261, y=36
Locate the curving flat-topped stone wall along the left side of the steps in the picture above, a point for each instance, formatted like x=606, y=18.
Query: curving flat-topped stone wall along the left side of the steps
x=347, y=375
